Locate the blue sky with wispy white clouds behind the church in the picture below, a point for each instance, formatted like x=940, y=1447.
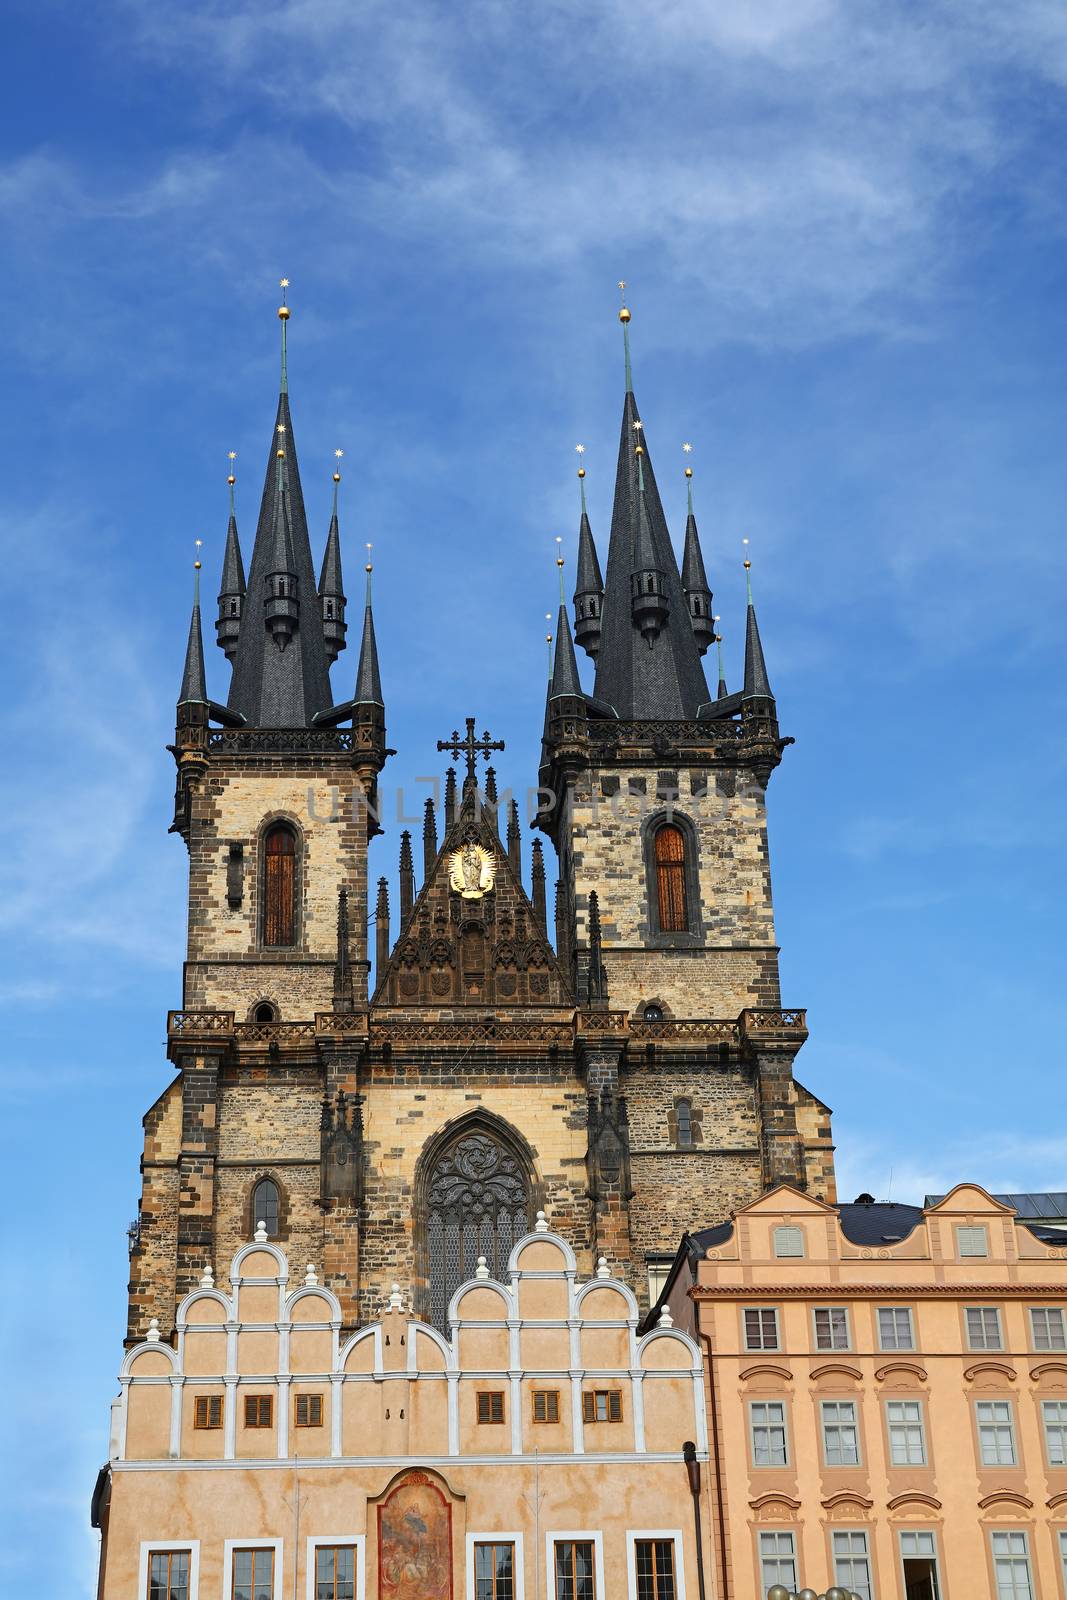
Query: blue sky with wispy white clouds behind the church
x=844, y=230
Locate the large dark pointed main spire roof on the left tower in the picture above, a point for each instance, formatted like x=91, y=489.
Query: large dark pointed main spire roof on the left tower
x=271, y=687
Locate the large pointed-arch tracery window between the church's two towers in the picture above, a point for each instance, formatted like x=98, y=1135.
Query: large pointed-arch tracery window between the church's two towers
x=478, y=1204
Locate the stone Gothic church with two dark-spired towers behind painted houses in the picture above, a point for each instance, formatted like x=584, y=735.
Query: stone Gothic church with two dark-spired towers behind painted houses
x=629, y=1076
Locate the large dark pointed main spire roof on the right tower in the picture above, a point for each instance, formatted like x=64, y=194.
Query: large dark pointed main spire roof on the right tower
x=642, y=681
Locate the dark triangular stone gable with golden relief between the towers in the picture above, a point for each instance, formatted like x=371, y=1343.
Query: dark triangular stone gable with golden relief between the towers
x=473, y=935
